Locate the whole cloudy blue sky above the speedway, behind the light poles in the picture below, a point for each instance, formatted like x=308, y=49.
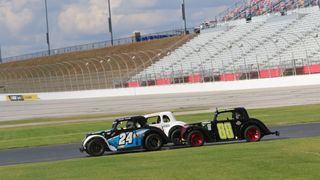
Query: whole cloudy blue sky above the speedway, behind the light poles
x=75, y=22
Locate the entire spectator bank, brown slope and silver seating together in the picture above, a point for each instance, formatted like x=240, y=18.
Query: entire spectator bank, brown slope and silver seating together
x=281, y=42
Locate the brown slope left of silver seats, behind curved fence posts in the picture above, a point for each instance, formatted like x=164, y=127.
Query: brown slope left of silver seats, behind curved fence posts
x=93, y=69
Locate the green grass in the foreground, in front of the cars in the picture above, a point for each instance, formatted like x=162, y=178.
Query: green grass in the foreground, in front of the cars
x=279, y=159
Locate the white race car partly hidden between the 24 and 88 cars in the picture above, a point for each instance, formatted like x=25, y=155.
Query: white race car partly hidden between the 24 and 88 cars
x=167, y=122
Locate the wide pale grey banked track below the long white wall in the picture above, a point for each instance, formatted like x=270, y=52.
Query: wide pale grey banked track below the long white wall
x=258, y=98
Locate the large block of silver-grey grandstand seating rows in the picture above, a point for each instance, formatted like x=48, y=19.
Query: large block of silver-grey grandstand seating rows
x=267, y=42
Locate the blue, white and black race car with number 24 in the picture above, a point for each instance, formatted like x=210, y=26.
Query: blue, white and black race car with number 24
x=126, y=134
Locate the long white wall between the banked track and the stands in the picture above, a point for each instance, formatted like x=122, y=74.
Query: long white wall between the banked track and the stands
x=302, y=80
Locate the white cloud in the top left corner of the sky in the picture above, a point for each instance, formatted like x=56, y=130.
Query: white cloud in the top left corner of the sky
x=16, y=14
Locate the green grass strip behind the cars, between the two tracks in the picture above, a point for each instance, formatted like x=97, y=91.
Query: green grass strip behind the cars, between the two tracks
x=74, y=132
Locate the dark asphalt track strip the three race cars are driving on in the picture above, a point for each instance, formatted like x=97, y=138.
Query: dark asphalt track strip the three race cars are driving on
x=70, y=151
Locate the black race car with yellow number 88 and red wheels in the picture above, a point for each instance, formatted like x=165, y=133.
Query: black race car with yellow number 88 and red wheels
x=227, y=125
